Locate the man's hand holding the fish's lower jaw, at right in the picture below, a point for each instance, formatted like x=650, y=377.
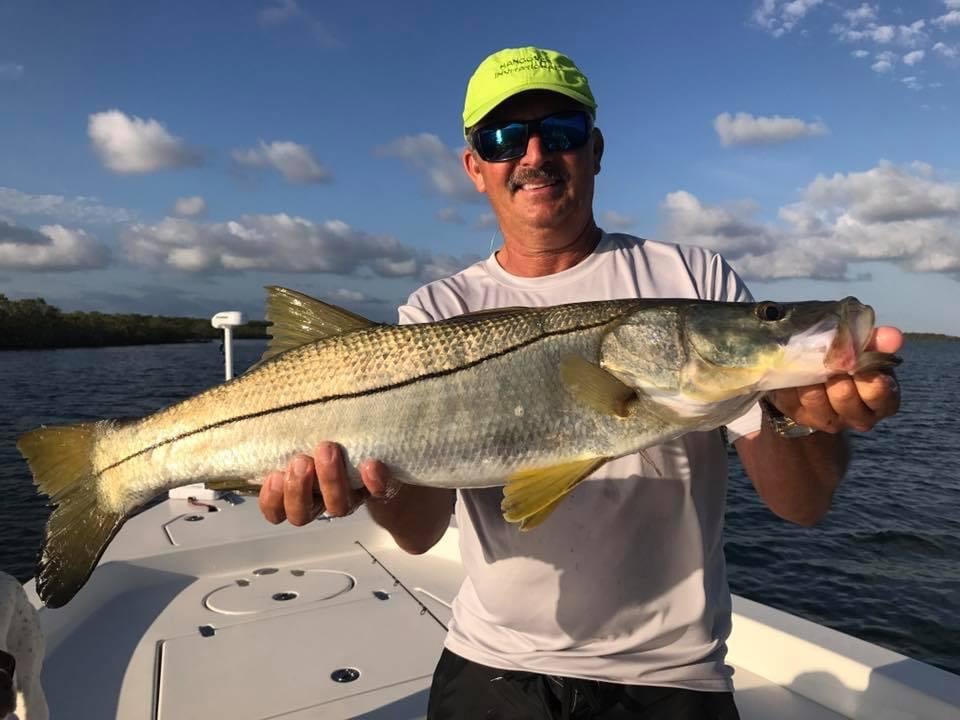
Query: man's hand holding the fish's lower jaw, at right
x=856, y=402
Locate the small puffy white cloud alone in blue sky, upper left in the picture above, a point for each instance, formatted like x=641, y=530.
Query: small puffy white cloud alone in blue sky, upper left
x=133, y=145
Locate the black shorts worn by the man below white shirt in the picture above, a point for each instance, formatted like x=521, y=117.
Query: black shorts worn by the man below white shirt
x=465, y=690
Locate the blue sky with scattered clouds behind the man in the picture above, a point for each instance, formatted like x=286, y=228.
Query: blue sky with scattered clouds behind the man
x=174, y=158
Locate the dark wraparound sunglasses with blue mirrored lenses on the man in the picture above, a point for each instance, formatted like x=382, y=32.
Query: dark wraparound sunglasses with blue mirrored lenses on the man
x=559, y=132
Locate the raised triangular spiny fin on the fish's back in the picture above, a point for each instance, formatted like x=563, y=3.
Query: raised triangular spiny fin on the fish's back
x=299, y=319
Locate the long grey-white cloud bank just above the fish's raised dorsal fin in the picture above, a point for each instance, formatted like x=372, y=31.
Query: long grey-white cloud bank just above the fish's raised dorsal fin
x=278, y=243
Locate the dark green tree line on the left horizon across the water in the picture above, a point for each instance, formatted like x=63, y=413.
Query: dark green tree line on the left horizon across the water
x=32, y=324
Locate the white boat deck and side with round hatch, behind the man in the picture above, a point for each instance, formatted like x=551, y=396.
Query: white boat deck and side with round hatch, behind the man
x=196, y=614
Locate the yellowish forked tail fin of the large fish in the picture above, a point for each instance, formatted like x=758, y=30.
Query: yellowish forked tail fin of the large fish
x=81, y=525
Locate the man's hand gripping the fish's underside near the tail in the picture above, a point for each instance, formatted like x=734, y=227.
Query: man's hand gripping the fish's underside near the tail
x=310, y=485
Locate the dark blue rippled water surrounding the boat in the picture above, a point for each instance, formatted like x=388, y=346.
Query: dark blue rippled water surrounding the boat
x=883, y=566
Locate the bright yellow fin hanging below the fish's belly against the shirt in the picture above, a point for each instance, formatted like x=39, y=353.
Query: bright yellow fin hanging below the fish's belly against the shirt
x=531, y=495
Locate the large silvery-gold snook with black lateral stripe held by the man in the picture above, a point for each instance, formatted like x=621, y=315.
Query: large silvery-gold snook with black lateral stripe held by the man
x=533, y=399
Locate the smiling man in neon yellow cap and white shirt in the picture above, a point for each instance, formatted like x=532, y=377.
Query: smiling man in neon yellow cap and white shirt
x=618, y=605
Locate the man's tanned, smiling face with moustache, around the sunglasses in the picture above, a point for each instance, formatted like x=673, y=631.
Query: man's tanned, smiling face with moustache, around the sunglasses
x=542, y=190
